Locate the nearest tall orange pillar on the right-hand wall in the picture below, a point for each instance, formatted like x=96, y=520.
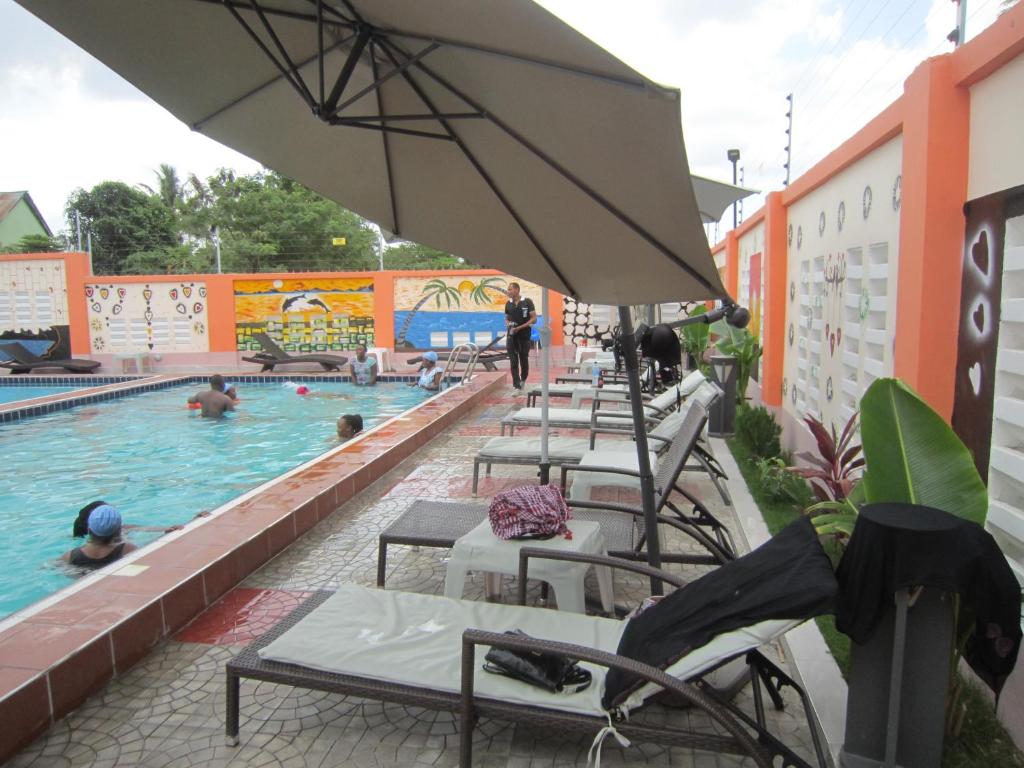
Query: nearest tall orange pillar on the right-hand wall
x=936, y=130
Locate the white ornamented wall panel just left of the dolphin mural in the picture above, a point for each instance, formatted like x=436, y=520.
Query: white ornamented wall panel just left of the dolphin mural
x=148, y=317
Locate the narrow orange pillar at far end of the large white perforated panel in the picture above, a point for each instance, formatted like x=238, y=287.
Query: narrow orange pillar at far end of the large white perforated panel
x=774, y=302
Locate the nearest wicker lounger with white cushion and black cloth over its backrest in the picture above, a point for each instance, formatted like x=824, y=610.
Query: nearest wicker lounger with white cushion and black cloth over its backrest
x=422, y=651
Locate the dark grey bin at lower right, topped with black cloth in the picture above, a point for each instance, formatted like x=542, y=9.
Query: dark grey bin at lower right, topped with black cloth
x=900, y=673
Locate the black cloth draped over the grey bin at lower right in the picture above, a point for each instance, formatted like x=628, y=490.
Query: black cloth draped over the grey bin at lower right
x=899, y=546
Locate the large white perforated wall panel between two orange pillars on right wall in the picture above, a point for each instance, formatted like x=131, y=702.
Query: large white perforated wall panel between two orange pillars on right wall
x=841, y=314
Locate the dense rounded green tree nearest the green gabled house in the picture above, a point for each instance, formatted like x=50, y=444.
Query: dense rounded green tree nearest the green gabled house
x=122, y=222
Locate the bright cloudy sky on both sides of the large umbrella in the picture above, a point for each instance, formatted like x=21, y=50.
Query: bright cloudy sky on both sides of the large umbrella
x=68, y=122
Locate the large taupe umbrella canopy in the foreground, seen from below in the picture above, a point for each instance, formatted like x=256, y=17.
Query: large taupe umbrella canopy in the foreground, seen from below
x=487, y=129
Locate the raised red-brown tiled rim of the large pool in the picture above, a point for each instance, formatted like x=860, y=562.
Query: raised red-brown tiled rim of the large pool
x=57, y=654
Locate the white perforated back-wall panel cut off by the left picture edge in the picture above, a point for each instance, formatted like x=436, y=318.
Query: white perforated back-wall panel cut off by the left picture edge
x=34, y=305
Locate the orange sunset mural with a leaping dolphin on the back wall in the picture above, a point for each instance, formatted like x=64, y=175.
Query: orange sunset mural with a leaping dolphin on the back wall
x=306, y=316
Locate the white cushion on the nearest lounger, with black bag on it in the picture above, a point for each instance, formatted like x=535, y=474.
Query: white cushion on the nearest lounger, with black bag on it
x=414, y=639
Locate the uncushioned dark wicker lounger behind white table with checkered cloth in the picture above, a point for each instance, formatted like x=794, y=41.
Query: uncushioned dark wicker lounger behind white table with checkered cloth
x=434, y=524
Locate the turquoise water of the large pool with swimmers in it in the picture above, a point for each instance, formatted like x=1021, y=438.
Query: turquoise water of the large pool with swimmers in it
x=158, y=462
